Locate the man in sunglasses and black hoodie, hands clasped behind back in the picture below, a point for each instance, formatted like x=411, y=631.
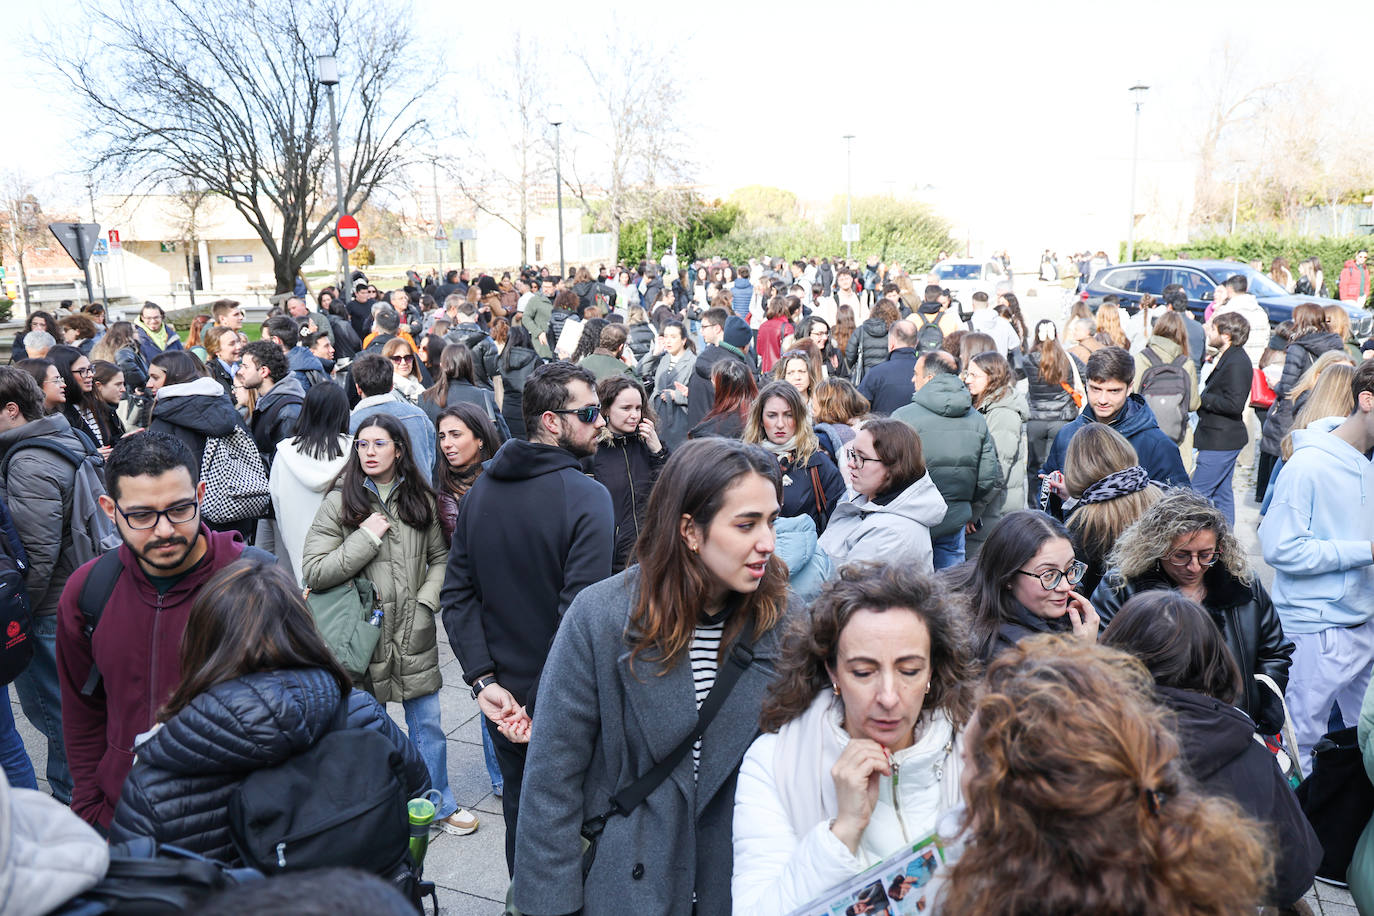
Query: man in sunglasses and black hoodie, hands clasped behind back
x=509, y=584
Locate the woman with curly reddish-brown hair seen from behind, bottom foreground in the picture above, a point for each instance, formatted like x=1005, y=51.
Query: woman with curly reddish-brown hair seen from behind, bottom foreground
x=1079, y=800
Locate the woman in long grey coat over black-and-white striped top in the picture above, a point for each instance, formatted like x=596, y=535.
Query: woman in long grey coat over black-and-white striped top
x=633, y=667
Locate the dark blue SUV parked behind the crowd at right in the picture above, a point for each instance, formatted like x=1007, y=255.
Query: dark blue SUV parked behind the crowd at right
x=1200, y=279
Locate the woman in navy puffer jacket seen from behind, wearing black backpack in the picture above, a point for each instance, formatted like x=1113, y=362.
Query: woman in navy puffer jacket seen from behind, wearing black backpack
x=259, y=686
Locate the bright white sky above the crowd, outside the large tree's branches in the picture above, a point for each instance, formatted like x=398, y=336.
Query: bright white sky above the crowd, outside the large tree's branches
x=1015, y=109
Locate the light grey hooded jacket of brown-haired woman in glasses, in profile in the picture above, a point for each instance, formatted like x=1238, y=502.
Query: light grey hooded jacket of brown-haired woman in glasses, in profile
x=899, y=532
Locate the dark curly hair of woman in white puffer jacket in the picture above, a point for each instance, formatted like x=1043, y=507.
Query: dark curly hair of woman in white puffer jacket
x=811, y=645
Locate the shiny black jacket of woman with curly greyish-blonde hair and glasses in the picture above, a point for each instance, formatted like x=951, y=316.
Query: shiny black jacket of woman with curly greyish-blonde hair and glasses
x=1248, y=623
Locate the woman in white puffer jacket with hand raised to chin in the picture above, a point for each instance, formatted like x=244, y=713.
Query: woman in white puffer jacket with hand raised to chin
x=861, y=753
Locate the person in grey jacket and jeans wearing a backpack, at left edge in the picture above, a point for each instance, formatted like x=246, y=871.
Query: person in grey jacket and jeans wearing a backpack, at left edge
x=38, y=490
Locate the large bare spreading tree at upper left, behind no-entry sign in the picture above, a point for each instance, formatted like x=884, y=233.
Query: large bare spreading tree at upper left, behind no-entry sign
x=223, y=94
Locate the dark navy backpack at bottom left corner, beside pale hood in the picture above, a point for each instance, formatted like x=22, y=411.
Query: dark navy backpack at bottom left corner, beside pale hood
x=146, y=880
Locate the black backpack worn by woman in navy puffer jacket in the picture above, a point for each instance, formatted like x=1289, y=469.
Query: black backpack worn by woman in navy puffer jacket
x=341, y=804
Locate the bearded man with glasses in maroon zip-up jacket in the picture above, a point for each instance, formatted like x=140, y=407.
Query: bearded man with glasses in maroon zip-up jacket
x=117, y=676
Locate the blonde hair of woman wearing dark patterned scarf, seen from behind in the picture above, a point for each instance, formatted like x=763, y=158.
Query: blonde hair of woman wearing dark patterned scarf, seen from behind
x=1094, y=453
